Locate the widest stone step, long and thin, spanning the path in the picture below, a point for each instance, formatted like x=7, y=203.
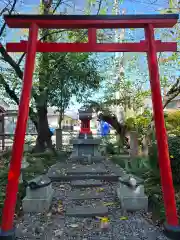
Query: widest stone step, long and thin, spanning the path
x=106, y=177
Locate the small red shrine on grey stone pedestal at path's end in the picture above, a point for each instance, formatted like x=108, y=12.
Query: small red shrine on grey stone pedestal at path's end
x=85, y=147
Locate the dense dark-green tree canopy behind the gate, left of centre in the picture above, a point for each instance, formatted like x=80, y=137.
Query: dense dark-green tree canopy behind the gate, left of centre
x=67, y=75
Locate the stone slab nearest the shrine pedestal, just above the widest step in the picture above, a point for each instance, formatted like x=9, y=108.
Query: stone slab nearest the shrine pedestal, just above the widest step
x=91, y=169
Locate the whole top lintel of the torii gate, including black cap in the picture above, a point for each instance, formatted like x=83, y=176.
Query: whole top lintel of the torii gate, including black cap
x=91, y=21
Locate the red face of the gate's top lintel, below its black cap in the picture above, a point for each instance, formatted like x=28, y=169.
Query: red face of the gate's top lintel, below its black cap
x=85, y=24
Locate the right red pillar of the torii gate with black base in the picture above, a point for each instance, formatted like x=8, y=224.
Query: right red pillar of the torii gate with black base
x=172, y=228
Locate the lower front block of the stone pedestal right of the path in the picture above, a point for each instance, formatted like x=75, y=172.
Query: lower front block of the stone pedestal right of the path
x=134, y=204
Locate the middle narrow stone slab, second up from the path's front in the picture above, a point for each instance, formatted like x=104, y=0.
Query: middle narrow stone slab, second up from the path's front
x=83, y=195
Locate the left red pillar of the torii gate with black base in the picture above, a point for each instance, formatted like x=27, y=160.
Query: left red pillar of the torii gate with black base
x=7, y=228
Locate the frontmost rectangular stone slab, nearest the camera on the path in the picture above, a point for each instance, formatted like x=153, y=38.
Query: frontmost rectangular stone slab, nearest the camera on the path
x=87, y=211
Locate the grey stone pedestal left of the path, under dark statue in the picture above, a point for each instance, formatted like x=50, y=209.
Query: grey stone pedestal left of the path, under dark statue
x=37, y=205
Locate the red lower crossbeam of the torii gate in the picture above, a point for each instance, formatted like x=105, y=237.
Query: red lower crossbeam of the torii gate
x=93, y=47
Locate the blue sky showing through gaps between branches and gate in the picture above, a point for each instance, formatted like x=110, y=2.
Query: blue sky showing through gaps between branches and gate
x=77, y=6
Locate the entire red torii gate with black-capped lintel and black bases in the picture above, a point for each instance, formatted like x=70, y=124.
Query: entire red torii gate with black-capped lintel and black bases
x=92, y=23
